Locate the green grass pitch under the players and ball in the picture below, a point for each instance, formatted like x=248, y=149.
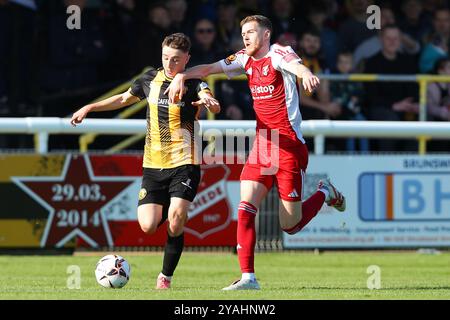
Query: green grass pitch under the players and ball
x=200, y=276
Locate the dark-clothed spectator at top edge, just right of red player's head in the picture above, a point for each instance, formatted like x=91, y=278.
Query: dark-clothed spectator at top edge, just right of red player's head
x=283, y=18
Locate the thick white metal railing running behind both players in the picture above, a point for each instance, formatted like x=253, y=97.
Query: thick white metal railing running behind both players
x=319, y=129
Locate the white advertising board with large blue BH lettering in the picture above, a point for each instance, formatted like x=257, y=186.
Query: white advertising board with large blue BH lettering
x=392, y=201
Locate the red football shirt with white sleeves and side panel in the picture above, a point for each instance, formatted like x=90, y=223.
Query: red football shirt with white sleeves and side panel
x=275, y=91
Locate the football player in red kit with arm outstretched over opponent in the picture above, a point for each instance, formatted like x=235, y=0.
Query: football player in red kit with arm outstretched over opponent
x=279, y=154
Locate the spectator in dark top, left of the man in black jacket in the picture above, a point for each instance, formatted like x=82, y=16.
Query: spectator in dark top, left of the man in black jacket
x=349, y=95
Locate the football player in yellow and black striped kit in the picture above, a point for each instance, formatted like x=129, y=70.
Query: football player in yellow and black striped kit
x=171, y=171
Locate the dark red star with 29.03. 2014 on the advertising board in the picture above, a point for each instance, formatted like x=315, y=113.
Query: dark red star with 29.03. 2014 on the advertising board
x=75, y=201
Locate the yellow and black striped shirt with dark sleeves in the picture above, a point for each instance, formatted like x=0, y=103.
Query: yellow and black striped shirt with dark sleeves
x=171, y=128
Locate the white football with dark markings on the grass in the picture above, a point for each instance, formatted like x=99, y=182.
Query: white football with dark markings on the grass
x=112, y=271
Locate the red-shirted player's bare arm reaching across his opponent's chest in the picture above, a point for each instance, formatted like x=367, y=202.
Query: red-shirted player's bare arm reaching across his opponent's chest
x=176, y=87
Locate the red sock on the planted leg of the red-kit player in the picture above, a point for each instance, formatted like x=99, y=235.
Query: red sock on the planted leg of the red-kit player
x=246, y=236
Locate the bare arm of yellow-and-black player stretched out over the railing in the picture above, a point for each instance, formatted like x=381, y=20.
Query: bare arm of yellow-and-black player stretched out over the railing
x=112, y=103
